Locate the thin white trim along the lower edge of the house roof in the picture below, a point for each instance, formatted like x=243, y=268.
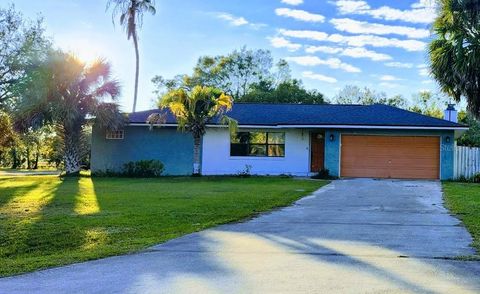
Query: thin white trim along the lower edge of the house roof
x=317, y=127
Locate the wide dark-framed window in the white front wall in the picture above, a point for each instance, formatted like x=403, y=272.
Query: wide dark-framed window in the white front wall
x=261, y=144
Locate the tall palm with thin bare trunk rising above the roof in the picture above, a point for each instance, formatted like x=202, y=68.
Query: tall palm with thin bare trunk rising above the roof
x=131, y=17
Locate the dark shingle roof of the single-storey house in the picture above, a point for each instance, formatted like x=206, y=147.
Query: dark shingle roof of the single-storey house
x=318, y=114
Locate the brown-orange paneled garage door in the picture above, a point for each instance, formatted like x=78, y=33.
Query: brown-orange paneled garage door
x=390, y=157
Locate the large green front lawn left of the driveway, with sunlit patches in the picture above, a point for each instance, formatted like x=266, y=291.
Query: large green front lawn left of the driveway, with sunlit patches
x=49, y=221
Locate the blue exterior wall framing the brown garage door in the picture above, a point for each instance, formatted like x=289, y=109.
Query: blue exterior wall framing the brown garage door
x=332, y=148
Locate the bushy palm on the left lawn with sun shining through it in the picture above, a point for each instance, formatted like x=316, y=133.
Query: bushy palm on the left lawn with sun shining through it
x=67, y=93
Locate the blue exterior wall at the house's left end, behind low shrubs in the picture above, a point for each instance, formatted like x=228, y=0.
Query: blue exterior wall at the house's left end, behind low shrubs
x=174, y=149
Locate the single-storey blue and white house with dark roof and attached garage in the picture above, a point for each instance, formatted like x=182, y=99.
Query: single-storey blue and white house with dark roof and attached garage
x=377, y=141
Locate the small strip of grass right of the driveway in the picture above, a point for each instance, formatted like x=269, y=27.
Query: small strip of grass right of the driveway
x=463, y=199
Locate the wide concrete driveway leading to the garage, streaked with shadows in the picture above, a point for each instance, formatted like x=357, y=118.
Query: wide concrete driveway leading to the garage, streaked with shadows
x=352, y=236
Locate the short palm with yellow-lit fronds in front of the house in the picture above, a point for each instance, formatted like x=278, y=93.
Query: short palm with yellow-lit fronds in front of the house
x=193, y=110
